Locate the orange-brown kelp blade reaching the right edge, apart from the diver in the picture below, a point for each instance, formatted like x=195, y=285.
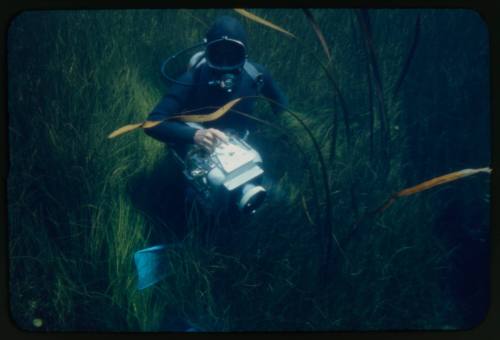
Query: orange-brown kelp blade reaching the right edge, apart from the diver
x=453, y=176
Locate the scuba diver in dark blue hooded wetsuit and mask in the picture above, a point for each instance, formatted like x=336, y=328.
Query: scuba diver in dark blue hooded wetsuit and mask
x=216, y=75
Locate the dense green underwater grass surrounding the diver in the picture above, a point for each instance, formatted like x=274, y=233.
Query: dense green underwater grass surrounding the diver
x=391, y=98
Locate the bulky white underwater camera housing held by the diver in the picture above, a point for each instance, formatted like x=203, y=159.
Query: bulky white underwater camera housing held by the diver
x=230, y=175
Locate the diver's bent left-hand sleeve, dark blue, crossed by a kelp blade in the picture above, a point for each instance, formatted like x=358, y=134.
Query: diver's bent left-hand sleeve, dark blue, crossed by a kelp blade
x=172, y=103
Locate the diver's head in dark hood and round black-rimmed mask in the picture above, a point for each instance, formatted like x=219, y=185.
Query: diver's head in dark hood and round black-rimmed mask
x=226, y=45
